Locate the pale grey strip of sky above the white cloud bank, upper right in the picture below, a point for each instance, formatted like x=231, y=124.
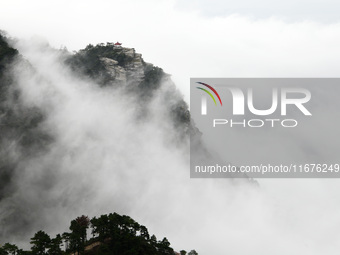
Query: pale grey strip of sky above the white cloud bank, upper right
x=300, y=10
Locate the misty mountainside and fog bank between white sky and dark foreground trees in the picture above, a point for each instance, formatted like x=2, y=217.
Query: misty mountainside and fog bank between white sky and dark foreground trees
x=100, y=130
